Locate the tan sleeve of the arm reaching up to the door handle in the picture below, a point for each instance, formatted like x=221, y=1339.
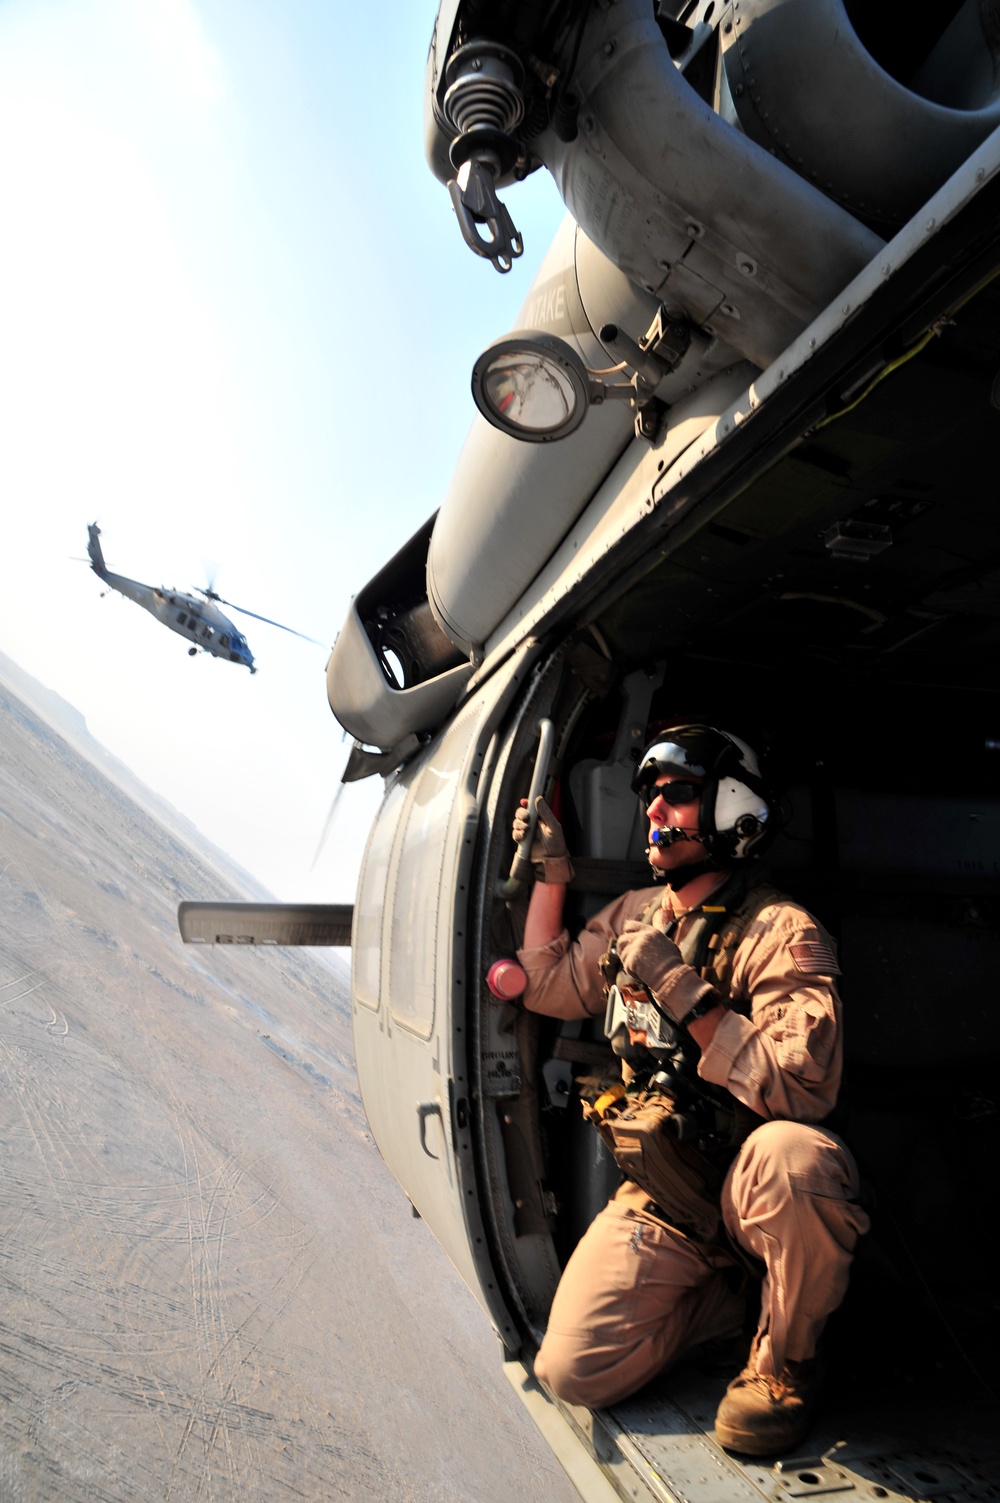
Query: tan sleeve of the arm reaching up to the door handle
x=565, y=978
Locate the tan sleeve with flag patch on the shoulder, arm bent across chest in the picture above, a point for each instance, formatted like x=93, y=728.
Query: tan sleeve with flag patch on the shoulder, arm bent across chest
x=784, y=1059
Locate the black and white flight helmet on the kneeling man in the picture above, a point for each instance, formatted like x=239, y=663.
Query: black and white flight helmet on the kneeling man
x=738, y=818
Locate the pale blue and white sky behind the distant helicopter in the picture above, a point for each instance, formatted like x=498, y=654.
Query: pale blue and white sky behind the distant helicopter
x=238, y=324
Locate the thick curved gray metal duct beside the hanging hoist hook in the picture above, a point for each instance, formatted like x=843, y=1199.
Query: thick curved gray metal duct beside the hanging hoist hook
x=689, y=208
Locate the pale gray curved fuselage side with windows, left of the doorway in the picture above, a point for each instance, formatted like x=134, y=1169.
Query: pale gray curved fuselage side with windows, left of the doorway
x=411, y=991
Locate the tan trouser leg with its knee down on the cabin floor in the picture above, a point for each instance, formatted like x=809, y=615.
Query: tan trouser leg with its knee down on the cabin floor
x=632, y=1299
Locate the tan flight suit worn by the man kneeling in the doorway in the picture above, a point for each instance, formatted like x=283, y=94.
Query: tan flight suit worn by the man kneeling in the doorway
x=638, y=1293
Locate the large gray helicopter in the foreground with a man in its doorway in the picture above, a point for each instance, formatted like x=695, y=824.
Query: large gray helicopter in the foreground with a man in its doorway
x=738, y=453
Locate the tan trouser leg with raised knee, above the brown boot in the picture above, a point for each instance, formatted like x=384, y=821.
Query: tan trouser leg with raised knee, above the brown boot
x=792, y=1200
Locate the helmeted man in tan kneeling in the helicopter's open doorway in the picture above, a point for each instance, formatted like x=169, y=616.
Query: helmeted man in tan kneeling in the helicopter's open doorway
x=745, y=979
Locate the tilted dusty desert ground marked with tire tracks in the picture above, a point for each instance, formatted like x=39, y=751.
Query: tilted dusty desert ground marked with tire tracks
x=211, y=1289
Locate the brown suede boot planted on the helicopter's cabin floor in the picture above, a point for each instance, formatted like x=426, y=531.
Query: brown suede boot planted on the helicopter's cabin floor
x=762, y=1415
